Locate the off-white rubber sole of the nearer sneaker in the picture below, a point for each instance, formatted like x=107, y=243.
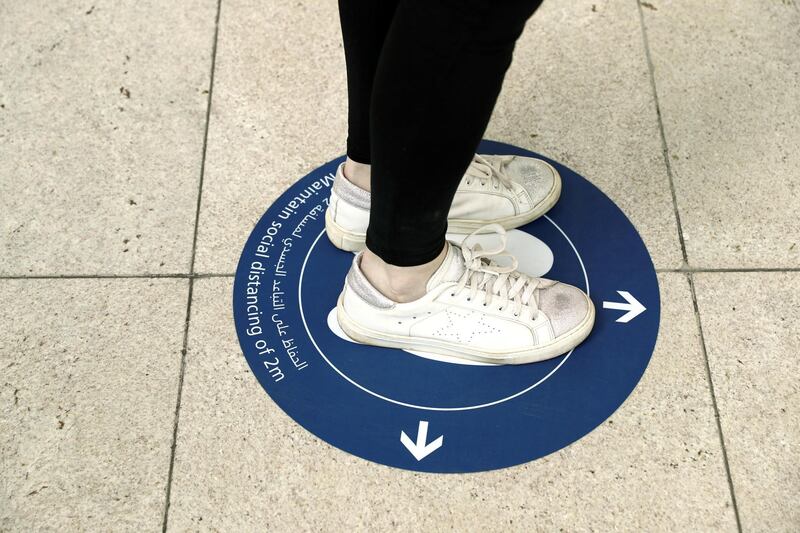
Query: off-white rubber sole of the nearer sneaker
x=437, y=346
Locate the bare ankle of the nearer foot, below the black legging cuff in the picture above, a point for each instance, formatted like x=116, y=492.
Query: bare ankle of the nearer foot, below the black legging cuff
x=399, y=284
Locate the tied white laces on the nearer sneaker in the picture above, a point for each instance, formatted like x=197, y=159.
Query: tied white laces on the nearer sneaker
x=505, y=283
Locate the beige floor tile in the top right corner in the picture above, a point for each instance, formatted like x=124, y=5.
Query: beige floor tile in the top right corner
x=728, y=78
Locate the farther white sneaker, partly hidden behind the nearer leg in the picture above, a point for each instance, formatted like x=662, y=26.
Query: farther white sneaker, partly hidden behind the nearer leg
x=496, y=189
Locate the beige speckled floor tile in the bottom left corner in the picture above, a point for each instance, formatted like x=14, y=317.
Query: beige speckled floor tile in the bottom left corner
x=87, y=401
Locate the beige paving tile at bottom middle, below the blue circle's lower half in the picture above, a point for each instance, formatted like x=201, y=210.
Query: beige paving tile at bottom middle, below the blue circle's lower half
x=242, y=464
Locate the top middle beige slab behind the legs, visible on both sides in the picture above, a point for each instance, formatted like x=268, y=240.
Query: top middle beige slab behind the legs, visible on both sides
x=279, y=111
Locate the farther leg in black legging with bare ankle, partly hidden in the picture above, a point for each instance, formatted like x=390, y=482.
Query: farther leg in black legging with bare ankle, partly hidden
x=364, y=27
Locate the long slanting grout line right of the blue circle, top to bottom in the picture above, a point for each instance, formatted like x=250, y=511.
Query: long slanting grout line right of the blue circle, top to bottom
x=685, y=267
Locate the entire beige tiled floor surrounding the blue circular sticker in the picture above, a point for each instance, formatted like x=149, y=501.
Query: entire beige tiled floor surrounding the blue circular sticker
x=140, y=142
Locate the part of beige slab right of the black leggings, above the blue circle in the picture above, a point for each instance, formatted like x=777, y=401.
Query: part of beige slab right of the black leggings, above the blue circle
x=579, y=91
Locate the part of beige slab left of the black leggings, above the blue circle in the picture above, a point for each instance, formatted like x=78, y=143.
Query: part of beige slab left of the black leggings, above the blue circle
x=279, y=111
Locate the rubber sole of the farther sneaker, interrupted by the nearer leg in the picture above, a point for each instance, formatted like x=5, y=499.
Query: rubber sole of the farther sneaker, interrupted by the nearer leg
x=352, y=241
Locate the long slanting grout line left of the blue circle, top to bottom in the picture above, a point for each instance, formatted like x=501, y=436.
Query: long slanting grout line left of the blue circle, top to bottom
x=191, y=275
